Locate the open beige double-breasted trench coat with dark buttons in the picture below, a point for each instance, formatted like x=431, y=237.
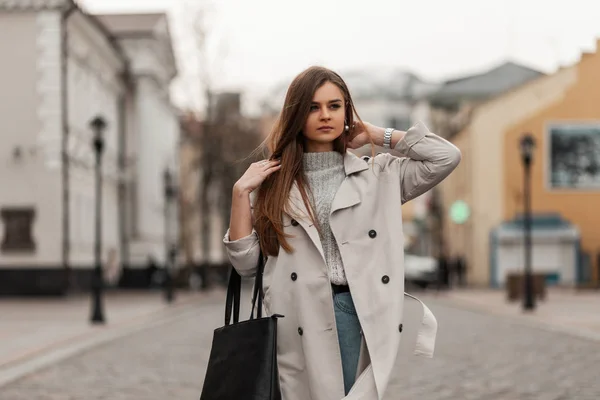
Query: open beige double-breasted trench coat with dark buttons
x=366, y=221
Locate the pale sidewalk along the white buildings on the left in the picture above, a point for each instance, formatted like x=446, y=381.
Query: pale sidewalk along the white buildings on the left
x=35, y=332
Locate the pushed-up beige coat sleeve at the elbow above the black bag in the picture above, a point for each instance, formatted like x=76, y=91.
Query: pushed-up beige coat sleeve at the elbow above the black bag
x=243, y=253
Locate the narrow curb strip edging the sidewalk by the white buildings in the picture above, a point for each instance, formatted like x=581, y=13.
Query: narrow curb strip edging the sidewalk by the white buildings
x=75, y=345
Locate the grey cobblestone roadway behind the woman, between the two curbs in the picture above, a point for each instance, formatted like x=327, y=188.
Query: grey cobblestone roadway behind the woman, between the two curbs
x=477, y=357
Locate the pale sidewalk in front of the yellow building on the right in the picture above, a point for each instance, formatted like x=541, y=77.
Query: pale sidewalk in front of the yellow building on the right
x=564, y=310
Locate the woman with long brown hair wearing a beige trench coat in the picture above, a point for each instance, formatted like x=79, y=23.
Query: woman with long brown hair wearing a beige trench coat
x=330, y=224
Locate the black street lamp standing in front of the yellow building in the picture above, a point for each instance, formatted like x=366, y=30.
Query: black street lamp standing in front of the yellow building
x=527, y=147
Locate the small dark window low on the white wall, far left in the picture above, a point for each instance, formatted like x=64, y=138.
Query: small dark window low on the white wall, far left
x=17, y=229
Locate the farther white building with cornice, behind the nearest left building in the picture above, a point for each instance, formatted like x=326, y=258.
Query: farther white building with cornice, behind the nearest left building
x=152, y=139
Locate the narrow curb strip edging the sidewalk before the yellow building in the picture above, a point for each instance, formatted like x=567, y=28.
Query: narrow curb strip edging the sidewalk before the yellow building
x=519, y=319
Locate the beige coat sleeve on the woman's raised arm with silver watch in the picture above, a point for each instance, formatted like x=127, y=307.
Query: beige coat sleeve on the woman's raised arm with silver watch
x=426, y=160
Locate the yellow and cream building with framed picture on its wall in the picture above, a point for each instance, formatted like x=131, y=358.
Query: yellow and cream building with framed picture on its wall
x=556, y=109
